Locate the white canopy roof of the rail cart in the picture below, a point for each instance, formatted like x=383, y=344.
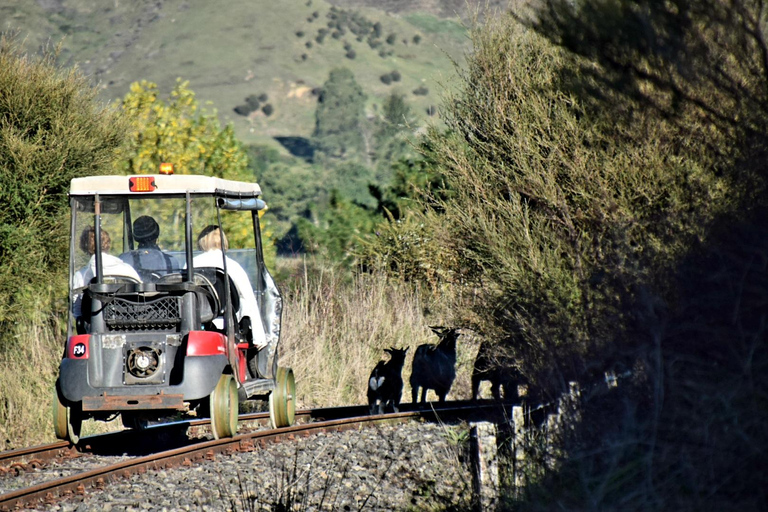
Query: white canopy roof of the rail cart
x=163, y=184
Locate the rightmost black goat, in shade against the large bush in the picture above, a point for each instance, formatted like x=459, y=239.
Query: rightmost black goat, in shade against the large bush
x=494, y=365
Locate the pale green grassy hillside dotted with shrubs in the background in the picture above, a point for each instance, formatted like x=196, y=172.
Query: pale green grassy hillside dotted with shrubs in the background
x=233, y=49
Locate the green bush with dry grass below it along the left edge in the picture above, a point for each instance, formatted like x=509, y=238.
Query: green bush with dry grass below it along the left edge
x=51, y=130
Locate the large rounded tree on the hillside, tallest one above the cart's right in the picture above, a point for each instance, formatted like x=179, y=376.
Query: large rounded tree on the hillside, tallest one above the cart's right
x=339, y=116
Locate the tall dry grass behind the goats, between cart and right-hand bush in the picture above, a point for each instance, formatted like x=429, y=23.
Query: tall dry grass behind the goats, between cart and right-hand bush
x=336, y=328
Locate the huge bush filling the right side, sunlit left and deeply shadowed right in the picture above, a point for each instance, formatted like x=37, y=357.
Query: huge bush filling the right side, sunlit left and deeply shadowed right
x=603, y=215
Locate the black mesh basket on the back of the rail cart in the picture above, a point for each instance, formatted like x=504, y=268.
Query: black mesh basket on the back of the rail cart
x=149, y=315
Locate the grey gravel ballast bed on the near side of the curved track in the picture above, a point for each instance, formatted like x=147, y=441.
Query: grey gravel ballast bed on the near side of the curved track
x=412, y=466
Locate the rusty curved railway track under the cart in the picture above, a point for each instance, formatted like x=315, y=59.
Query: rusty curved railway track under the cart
x=185, y=443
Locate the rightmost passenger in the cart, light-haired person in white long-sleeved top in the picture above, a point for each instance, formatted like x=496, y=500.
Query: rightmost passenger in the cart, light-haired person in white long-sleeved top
x=210, y=242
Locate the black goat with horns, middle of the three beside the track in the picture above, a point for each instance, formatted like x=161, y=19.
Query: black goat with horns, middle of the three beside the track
x=434, y=366
